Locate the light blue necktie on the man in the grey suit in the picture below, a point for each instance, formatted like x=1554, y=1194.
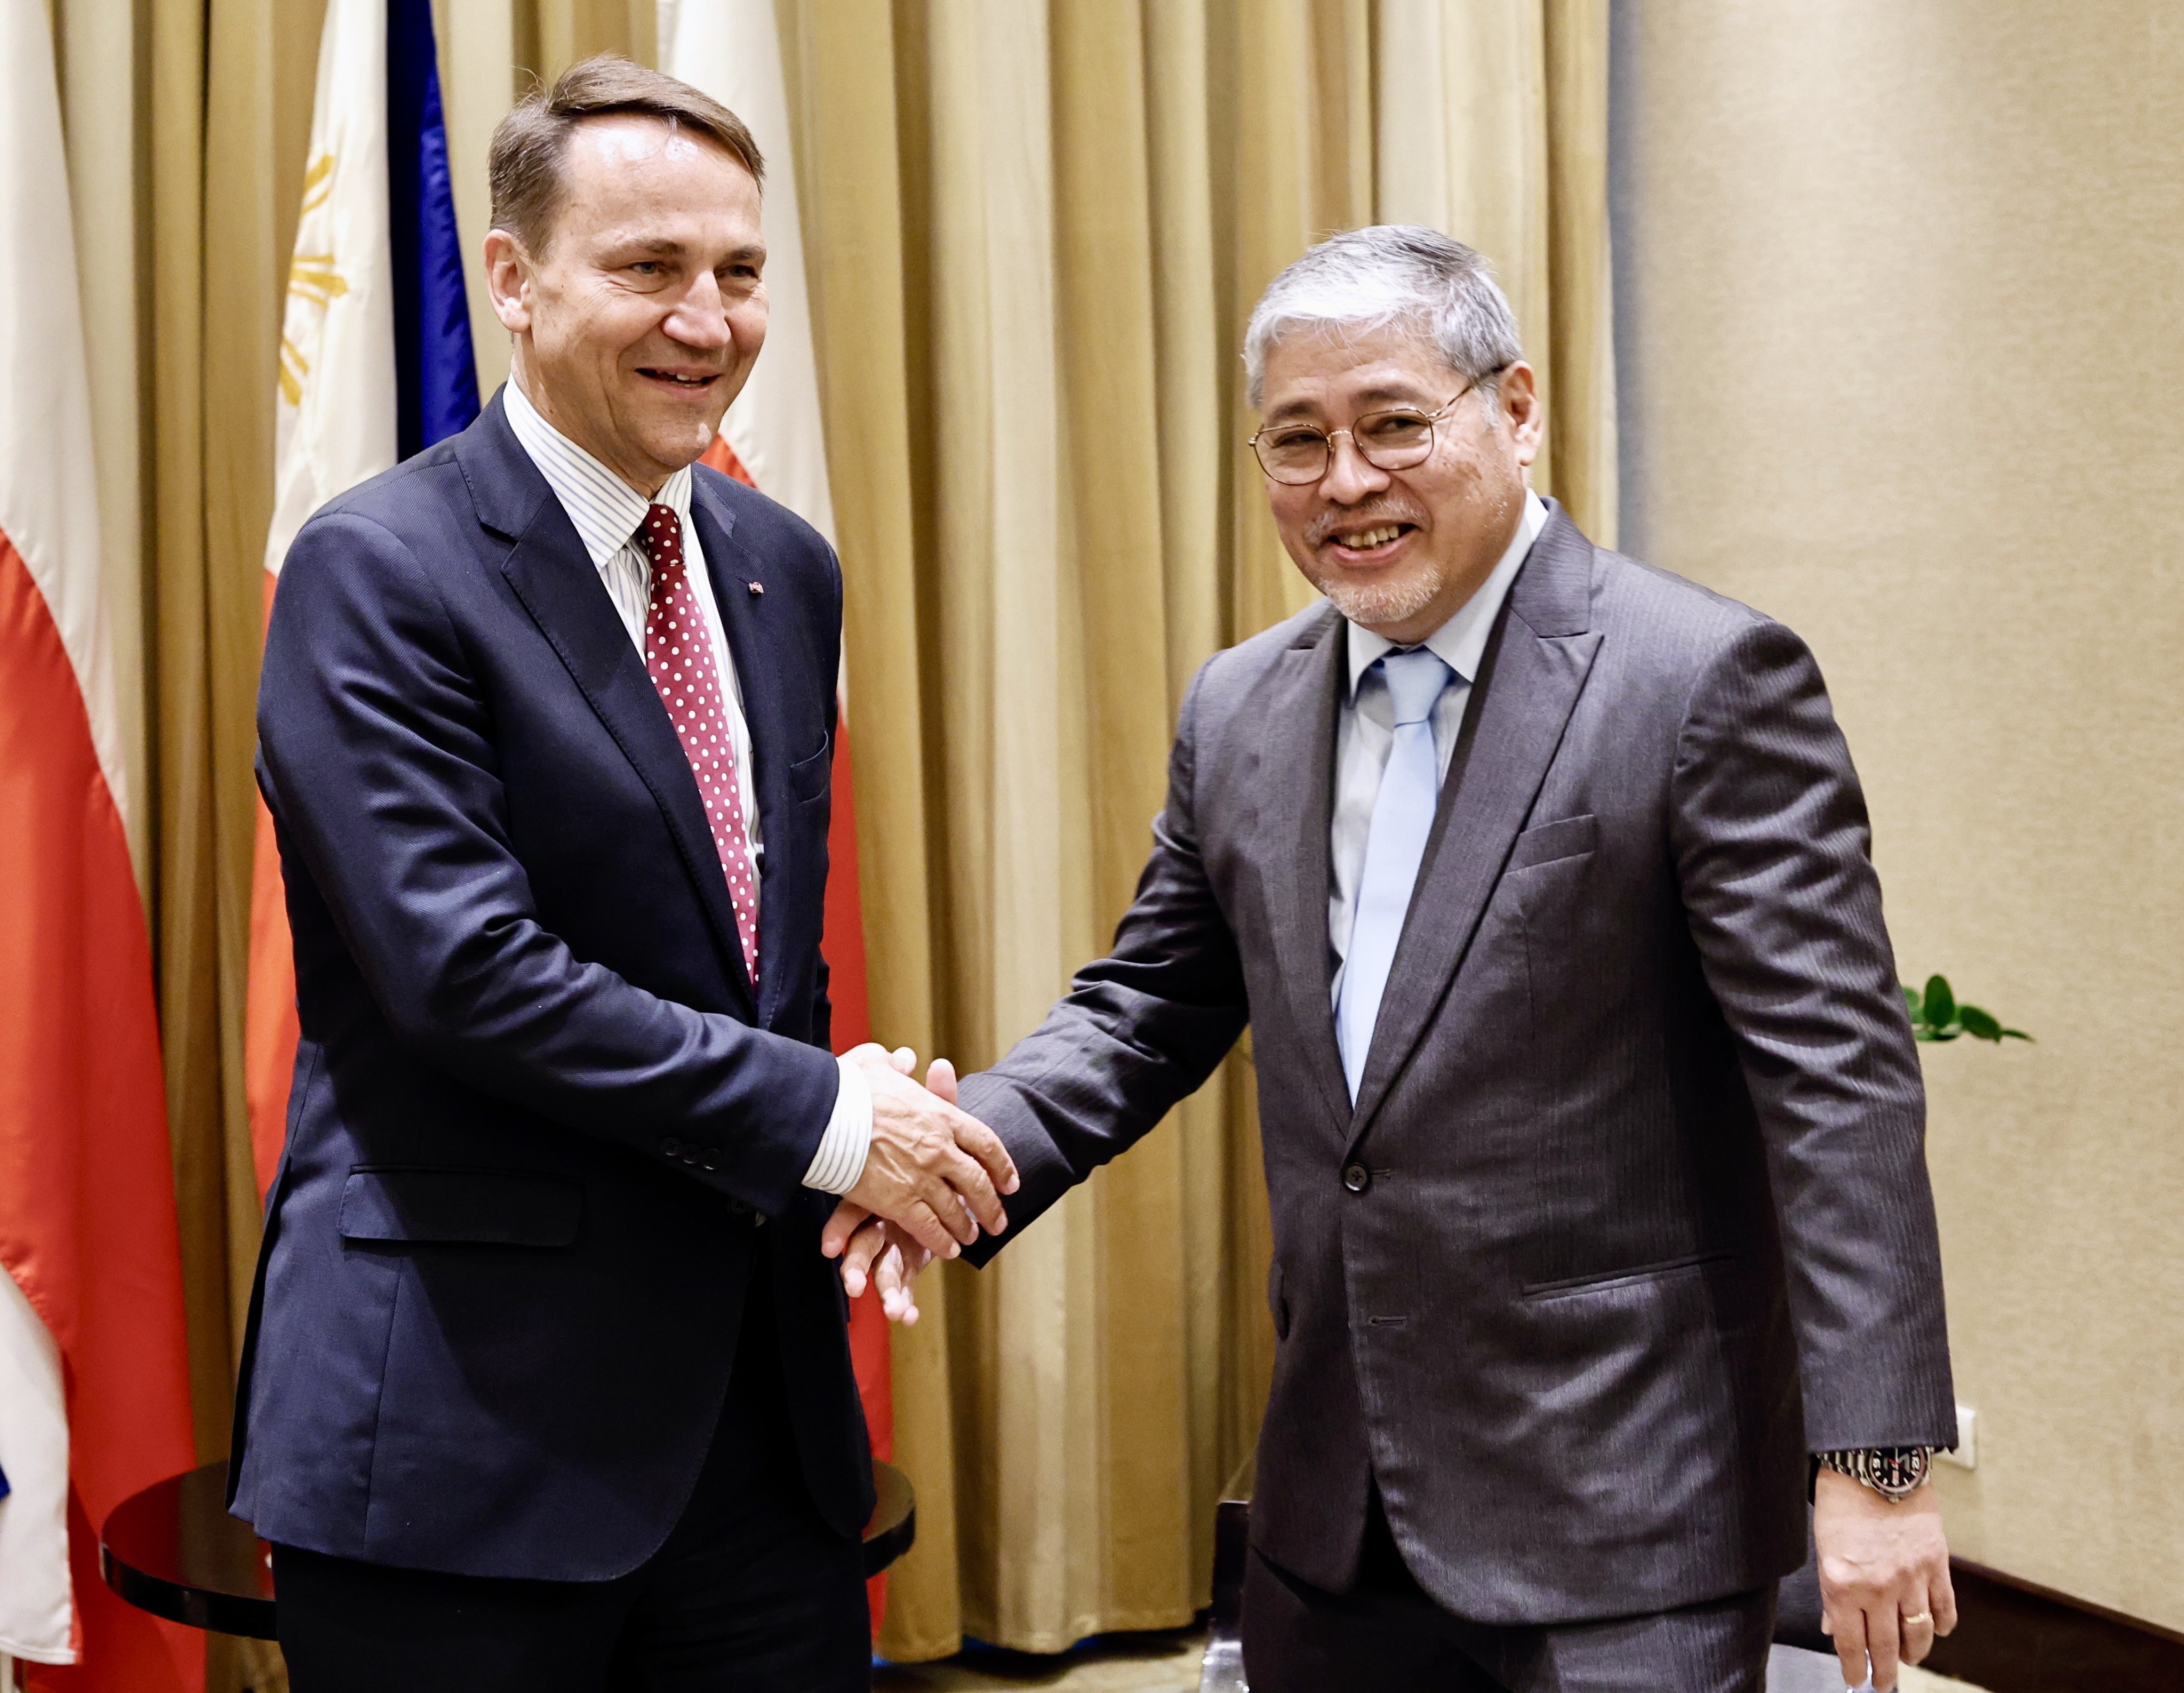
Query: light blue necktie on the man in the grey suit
x=1394, y=849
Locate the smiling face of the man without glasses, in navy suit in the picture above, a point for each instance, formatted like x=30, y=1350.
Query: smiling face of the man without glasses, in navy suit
x=645, y=311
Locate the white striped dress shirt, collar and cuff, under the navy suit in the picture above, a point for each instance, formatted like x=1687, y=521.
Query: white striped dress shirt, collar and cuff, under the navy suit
x=608, y=514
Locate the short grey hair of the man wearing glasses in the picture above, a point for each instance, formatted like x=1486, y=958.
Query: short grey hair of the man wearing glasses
x=1390, y=274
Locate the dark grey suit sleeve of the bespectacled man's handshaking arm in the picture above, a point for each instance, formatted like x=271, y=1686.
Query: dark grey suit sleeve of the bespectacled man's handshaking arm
x=1137, y=1032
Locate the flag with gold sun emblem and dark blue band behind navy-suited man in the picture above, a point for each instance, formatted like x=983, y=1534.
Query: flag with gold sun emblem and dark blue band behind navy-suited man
x=375, y=366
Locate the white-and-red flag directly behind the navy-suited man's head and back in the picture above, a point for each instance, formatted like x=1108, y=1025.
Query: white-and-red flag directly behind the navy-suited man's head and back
x=774, y=440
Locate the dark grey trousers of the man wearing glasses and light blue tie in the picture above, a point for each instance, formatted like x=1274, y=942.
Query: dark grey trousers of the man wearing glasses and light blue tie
x=1388, y=1635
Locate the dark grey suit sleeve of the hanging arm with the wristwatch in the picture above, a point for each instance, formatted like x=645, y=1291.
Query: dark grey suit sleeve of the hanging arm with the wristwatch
x=1774, y=860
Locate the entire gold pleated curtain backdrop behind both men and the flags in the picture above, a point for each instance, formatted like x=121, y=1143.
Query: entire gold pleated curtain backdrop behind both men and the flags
x=1034, y=237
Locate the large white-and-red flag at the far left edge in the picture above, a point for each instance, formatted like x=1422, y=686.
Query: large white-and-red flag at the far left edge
x=95, y=1384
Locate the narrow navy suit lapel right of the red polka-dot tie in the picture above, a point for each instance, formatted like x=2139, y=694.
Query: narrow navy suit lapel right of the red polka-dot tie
x=733, y=571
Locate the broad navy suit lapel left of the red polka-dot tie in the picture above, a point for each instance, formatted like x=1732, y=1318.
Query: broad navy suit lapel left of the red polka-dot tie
x=554, y=578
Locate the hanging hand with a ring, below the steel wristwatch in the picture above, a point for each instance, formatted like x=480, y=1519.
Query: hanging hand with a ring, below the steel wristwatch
x=1884, y=1576
